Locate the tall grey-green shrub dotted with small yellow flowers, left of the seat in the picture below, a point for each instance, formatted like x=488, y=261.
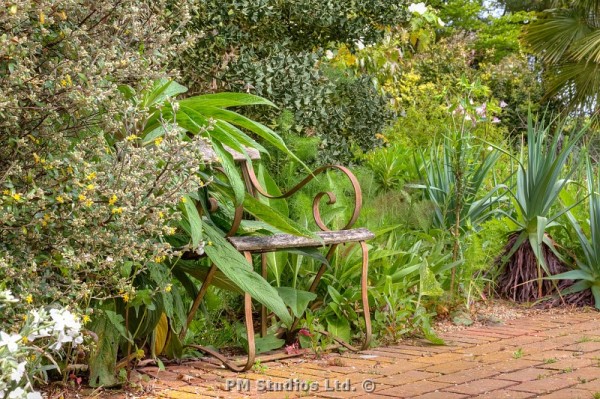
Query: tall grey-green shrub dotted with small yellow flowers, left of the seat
x=77, y=190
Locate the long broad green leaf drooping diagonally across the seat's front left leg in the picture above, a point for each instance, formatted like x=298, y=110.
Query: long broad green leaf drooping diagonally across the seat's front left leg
x=239, y=271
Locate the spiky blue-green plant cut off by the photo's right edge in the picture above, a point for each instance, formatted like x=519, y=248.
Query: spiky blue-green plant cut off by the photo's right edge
x=587, y=273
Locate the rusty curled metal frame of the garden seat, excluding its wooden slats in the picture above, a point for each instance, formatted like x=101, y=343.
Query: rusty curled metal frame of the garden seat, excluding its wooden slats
x=254, y=188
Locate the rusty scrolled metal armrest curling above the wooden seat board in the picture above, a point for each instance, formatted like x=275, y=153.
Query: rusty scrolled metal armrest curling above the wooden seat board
x=252, y=180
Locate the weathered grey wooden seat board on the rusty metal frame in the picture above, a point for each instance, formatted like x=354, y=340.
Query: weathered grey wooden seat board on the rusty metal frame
x=284, y=241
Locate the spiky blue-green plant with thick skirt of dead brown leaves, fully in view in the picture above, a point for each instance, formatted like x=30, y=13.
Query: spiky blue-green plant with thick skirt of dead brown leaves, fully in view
x=529, y=254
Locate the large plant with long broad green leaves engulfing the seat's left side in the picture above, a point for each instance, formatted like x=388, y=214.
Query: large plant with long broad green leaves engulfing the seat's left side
x=147, y=310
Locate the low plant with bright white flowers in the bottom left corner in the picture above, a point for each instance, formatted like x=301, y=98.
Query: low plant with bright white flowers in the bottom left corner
x=31, y=351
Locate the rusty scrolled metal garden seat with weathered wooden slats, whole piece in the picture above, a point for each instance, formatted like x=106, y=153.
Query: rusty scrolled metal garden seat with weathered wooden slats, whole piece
x=262, y=245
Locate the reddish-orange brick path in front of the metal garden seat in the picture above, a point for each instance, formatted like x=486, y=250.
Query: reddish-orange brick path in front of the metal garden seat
x=550, y=356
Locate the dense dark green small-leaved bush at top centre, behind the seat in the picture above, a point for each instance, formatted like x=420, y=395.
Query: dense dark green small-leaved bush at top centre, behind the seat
x=275, y=49
